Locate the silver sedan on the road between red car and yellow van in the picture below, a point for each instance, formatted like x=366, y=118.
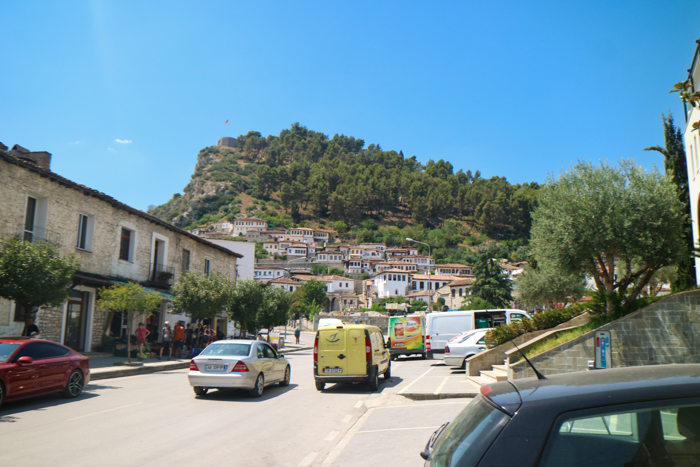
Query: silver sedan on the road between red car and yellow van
x=242, y=364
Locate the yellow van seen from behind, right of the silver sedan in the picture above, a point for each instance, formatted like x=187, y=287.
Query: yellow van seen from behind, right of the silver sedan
x=350, y=354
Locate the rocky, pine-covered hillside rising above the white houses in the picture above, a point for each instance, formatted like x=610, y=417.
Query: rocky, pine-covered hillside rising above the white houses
x=303, y=177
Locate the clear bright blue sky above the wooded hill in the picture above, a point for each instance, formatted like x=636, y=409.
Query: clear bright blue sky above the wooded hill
x=125, y=93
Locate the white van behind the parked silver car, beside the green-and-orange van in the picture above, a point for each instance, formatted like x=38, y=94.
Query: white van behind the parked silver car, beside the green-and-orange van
x=440, y=327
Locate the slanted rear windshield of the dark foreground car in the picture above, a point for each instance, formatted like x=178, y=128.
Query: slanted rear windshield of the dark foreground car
x=467, y=438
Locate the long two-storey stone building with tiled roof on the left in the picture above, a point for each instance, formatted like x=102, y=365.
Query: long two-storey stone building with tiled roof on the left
x=115, y=243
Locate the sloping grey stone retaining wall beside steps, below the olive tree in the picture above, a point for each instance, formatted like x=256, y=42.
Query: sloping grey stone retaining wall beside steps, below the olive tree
x=664, y=332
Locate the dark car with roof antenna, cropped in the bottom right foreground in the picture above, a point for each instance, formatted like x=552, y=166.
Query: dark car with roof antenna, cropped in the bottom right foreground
x=634, y=416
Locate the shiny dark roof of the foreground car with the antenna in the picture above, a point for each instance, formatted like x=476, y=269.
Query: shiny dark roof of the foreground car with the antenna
x=583, y=389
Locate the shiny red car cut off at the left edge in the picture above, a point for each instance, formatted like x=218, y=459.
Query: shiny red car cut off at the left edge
x=34, y=367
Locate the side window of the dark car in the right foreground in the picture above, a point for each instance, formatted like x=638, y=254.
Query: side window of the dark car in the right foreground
x=611, y=436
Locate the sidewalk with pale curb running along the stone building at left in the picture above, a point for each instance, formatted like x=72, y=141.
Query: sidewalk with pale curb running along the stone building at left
x=104, y=366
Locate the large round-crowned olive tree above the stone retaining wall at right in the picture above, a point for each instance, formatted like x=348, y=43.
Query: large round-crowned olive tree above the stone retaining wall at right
x=618, y=224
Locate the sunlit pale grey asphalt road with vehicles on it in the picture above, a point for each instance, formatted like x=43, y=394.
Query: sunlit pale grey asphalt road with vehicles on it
x=155, y=420
